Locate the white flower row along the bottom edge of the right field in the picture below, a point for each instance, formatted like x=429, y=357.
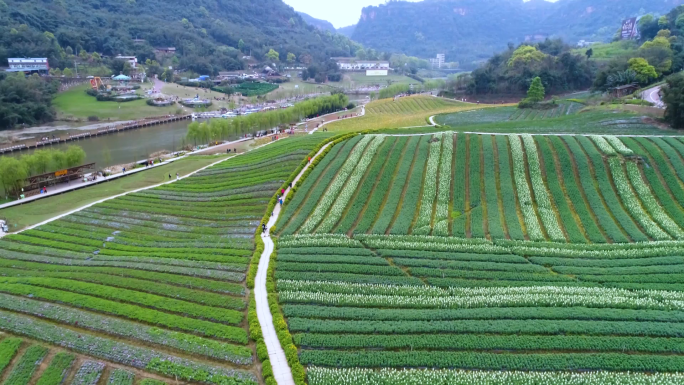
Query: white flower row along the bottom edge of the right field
x=330, y=376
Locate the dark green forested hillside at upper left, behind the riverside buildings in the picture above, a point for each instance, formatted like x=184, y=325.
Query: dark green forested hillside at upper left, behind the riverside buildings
x=201, y=31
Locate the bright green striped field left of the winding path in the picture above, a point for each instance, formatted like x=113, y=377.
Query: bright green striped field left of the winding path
x=153, y=281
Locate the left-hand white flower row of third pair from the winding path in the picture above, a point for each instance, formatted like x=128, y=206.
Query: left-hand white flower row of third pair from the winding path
x=524, y=196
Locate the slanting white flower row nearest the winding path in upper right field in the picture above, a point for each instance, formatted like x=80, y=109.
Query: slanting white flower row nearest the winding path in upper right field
x=336, y=186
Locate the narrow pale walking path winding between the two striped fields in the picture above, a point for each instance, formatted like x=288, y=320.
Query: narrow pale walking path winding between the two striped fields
x=276, y=354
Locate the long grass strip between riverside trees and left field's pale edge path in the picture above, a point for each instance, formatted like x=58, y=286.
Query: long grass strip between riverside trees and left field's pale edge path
x=19, y=217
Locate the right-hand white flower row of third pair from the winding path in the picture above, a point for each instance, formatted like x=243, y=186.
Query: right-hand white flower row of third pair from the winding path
x=546, y=211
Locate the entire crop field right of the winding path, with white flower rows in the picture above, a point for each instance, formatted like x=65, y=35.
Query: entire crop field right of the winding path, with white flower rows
x=482, y=259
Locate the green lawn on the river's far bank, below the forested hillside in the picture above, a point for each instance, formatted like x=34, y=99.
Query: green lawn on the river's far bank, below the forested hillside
x=77, y=104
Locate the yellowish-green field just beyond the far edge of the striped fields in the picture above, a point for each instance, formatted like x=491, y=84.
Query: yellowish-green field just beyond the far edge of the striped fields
x=405, y=112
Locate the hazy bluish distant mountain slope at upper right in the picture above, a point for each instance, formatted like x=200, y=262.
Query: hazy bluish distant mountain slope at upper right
x=472, y=30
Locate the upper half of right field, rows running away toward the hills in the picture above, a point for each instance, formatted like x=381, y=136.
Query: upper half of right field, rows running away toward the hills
x=572, y=189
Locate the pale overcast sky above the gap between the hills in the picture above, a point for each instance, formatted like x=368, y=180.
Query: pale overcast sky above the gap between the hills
x=341, y=13
